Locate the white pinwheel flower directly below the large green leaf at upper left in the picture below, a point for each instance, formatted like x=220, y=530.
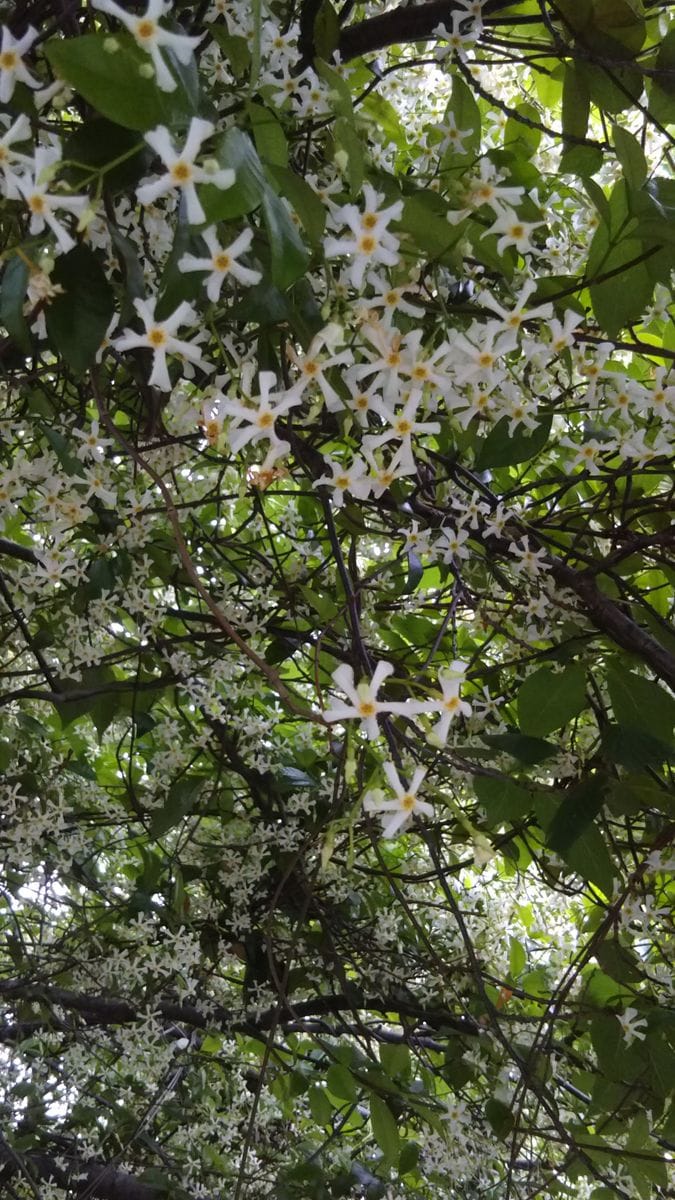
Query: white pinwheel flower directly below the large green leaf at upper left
x=182, y=170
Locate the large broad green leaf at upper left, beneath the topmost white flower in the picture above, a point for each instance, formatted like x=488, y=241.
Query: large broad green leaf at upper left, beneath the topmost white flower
x=112, y=82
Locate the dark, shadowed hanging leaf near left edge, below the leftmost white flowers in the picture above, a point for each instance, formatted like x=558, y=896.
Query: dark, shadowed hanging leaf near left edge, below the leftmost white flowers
x=77, y=322
